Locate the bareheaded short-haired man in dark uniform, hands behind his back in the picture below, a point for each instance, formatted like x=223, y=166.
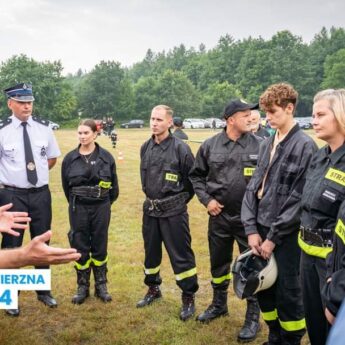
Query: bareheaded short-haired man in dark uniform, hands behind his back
x=165, y=165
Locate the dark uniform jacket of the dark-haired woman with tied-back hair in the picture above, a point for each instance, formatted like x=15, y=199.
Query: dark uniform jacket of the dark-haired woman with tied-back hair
x=75, y=173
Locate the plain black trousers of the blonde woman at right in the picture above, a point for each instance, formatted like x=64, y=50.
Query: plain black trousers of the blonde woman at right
x=313, y=278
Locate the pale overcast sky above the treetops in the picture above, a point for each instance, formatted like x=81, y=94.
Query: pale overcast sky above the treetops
x=81, y=33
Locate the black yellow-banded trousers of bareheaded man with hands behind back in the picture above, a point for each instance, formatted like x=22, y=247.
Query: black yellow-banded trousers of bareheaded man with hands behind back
x=174, y=233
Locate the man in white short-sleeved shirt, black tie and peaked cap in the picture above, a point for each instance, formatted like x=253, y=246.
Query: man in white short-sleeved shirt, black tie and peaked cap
x=28, y=150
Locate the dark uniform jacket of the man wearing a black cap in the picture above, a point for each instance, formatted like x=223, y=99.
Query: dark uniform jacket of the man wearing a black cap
x=223, y=168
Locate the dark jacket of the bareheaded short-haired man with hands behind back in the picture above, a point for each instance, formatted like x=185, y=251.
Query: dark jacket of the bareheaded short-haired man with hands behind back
x=164, y=170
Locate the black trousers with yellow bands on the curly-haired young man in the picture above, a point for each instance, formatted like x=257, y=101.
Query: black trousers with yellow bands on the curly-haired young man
x=282, y=302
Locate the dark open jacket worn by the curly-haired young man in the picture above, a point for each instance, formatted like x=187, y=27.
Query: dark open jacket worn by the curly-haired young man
x=279, y=208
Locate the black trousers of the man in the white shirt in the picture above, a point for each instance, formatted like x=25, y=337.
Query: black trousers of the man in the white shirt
x=37, y=203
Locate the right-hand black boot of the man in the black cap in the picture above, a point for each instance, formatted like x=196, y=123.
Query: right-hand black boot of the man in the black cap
x=251, y=324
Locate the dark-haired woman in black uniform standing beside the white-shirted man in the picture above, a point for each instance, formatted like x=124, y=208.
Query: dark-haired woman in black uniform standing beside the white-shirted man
x=90, y=184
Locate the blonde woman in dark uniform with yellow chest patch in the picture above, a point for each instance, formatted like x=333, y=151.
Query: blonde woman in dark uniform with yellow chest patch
x=323, y=193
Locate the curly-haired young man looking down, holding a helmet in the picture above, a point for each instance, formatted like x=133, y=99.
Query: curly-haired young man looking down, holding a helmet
x=271, y=212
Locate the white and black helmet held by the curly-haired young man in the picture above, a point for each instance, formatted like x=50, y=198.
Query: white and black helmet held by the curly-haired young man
x=253, y=273
